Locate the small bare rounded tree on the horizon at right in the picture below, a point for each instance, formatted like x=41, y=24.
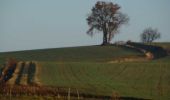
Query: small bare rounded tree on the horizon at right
x=149, y=35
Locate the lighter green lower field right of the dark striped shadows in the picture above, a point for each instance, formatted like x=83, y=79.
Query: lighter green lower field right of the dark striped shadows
x=142, y=80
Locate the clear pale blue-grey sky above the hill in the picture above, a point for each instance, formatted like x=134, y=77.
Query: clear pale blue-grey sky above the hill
x=38, y=24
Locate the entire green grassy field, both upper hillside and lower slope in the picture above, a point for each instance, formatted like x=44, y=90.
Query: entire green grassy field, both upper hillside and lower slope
x=89, y=70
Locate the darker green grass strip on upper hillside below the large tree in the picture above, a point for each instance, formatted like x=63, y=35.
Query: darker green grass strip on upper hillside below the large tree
x=72, y=54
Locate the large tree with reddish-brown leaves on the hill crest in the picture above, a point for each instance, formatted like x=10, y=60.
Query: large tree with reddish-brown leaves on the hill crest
x=107, y=18
